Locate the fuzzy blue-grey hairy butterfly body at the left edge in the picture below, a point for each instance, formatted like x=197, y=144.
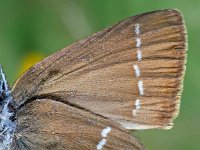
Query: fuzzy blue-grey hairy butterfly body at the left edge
x=7, y=115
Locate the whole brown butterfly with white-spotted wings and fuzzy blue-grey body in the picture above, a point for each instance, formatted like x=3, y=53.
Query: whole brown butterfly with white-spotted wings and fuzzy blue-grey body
x=92, y=94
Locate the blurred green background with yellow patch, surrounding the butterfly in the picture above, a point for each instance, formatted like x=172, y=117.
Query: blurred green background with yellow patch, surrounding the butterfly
x=31, y=30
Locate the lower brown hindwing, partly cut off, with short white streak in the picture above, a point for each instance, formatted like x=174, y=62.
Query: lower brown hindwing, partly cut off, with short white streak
x=48, y=125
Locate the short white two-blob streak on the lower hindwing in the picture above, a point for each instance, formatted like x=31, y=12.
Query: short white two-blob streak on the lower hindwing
x=104, y=134
